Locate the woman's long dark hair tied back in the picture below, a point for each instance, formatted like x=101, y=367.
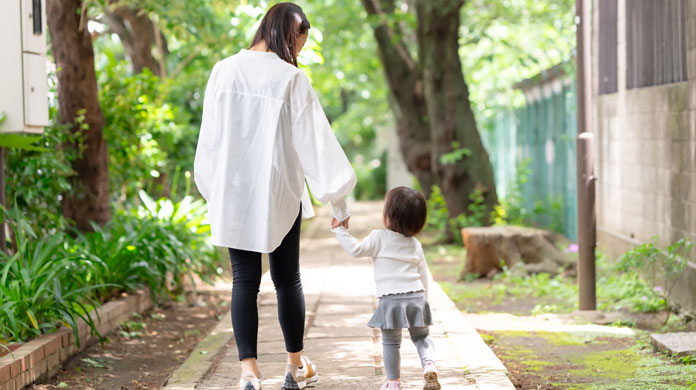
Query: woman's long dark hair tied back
x=280, y=27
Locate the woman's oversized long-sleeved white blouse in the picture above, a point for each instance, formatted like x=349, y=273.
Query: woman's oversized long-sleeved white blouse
x=263, y=133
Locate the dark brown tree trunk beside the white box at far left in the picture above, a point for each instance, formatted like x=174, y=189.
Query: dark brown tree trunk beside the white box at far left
x=77, y=91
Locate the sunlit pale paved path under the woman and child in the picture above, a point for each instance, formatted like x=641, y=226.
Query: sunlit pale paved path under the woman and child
x=340, y=299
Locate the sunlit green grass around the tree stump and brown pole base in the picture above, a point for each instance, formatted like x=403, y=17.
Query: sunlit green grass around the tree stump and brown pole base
x=617, y=289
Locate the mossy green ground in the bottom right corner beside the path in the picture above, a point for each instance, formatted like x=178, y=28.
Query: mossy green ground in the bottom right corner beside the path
x=589, y=361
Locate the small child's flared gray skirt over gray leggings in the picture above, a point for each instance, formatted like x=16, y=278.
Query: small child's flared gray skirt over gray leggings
x=398, y=311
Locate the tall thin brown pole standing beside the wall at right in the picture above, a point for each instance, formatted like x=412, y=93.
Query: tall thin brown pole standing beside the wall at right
x=587, y=224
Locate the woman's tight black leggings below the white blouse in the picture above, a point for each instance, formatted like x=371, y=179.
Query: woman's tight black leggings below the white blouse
x=285, y=272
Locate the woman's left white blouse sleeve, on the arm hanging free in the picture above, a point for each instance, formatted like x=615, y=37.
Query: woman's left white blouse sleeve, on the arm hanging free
x=202, y=165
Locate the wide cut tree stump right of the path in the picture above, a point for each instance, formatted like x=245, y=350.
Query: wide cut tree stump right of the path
x=533, y=250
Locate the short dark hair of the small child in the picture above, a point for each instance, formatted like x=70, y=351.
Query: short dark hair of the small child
x=405, y=211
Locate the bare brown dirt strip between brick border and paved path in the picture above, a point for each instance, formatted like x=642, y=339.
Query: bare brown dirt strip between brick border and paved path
x=146, y=350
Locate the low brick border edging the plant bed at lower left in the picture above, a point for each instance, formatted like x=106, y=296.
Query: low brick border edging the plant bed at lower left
x=41, y=357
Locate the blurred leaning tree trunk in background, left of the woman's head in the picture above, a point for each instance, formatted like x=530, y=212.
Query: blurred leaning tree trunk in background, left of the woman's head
x=137, y=33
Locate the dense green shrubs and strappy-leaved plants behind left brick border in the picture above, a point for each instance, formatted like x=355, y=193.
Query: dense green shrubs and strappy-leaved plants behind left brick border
x=52, y=275
